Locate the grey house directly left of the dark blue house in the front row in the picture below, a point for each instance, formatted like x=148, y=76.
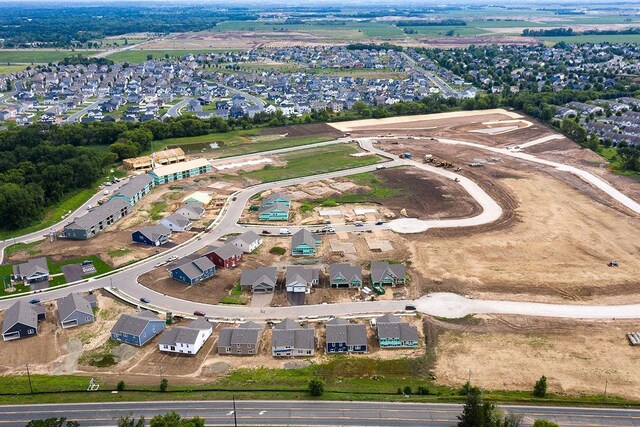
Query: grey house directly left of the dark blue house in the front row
x=289, y=339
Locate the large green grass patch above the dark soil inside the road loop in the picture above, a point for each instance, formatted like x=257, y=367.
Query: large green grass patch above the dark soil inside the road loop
x=312, y=162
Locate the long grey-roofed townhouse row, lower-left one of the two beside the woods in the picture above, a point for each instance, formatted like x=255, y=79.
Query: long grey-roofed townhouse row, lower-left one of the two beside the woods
x=97, y=219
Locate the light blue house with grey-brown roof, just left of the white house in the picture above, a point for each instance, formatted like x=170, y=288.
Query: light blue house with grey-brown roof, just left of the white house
x=138, y=328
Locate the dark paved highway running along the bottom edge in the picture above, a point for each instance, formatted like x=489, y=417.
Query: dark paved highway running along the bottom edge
x=308, y=413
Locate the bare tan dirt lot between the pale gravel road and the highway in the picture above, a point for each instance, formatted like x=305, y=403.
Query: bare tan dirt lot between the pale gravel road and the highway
x=511, y=352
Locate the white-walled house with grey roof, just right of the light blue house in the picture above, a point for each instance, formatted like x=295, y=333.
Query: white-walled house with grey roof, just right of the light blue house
x=186, y=339
